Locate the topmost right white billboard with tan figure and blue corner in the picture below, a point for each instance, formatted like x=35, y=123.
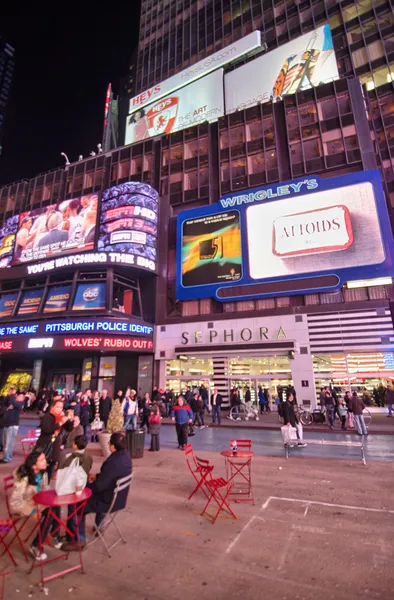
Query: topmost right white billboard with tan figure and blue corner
x=305, y=62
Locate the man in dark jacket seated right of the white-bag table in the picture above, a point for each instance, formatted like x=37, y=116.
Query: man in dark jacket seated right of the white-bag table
x=117, y=466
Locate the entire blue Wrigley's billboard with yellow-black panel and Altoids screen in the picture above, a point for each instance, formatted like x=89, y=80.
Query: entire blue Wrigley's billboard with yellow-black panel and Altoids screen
x=290, y=238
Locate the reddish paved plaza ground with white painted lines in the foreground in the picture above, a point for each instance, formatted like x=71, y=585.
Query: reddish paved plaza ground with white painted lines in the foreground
x=321, y=528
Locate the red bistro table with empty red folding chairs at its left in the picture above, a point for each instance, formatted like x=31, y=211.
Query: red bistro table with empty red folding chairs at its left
x=239, y=472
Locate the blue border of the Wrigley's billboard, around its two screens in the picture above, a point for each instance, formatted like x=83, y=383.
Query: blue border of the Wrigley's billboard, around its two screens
x=244, y=198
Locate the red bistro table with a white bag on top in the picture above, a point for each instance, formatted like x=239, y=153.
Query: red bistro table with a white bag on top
x=49, y=499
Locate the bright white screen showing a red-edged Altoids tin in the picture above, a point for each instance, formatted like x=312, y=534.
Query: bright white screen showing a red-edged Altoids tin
x=315, y=233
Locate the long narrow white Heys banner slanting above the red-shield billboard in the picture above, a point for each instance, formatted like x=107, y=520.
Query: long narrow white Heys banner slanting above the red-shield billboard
x=239, y=48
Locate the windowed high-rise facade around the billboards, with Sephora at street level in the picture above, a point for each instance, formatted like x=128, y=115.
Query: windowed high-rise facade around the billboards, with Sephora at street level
x=324, y=130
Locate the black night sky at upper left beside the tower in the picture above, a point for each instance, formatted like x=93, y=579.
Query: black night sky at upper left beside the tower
x=63, y=67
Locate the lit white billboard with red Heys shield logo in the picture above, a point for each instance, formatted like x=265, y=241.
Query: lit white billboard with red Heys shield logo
x=193, y=104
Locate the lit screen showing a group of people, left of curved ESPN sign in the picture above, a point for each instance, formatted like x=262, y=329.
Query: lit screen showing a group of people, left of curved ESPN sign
x=56, y=229
